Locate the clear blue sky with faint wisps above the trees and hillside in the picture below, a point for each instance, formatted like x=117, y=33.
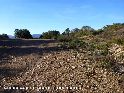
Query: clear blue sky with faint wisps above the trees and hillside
x=42, y=15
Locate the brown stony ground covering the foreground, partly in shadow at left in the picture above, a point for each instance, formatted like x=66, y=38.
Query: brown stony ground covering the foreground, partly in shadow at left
x=47, y=68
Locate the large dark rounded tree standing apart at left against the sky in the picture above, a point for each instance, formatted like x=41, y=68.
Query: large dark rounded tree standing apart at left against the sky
x=22, y=33
